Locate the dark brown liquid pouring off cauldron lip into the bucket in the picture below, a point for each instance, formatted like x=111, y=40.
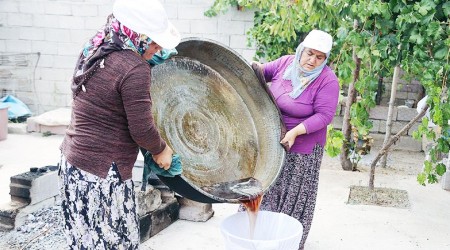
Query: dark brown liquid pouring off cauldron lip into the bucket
x=248, y=191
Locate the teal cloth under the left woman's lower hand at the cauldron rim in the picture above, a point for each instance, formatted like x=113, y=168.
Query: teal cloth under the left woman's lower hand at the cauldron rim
x=151, y=166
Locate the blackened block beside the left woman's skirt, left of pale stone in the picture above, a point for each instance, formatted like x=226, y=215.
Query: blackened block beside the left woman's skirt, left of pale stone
x=152, y=223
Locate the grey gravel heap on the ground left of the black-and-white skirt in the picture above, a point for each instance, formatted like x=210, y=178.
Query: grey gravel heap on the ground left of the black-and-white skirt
x=42, y=229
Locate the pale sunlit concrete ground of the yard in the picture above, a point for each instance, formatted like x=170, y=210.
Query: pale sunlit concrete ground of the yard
x=337, y=225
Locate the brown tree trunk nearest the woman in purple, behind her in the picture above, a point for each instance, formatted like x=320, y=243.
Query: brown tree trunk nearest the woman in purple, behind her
x=346, y=126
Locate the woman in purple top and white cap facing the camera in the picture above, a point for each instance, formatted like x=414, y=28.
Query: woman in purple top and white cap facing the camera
x=306, y=92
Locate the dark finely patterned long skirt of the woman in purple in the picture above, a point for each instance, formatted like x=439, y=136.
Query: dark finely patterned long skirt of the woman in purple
x=295, y=190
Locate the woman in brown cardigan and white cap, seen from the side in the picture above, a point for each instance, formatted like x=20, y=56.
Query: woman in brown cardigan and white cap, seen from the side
x=111, y=118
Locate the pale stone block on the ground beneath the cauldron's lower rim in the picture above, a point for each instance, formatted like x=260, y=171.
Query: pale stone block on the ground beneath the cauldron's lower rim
x=194, y=211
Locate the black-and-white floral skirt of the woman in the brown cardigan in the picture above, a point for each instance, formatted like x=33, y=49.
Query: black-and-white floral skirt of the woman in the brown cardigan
x=99, y=213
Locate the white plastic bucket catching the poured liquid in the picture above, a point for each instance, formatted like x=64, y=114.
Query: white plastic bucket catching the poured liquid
x=273, y=231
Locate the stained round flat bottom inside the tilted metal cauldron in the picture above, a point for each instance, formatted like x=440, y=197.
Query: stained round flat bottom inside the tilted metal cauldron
x=207, y=119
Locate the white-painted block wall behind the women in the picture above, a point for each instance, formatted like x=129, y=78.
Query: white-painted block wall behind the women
x=40, y=41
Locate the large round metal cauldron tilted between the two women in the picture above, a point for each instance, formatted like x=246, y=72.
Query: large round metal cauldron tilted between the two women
x=212, y=110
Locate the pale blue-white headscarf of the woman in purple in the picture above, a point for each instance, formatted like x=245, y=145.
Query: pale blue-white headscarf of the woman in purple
x=301, y=78
